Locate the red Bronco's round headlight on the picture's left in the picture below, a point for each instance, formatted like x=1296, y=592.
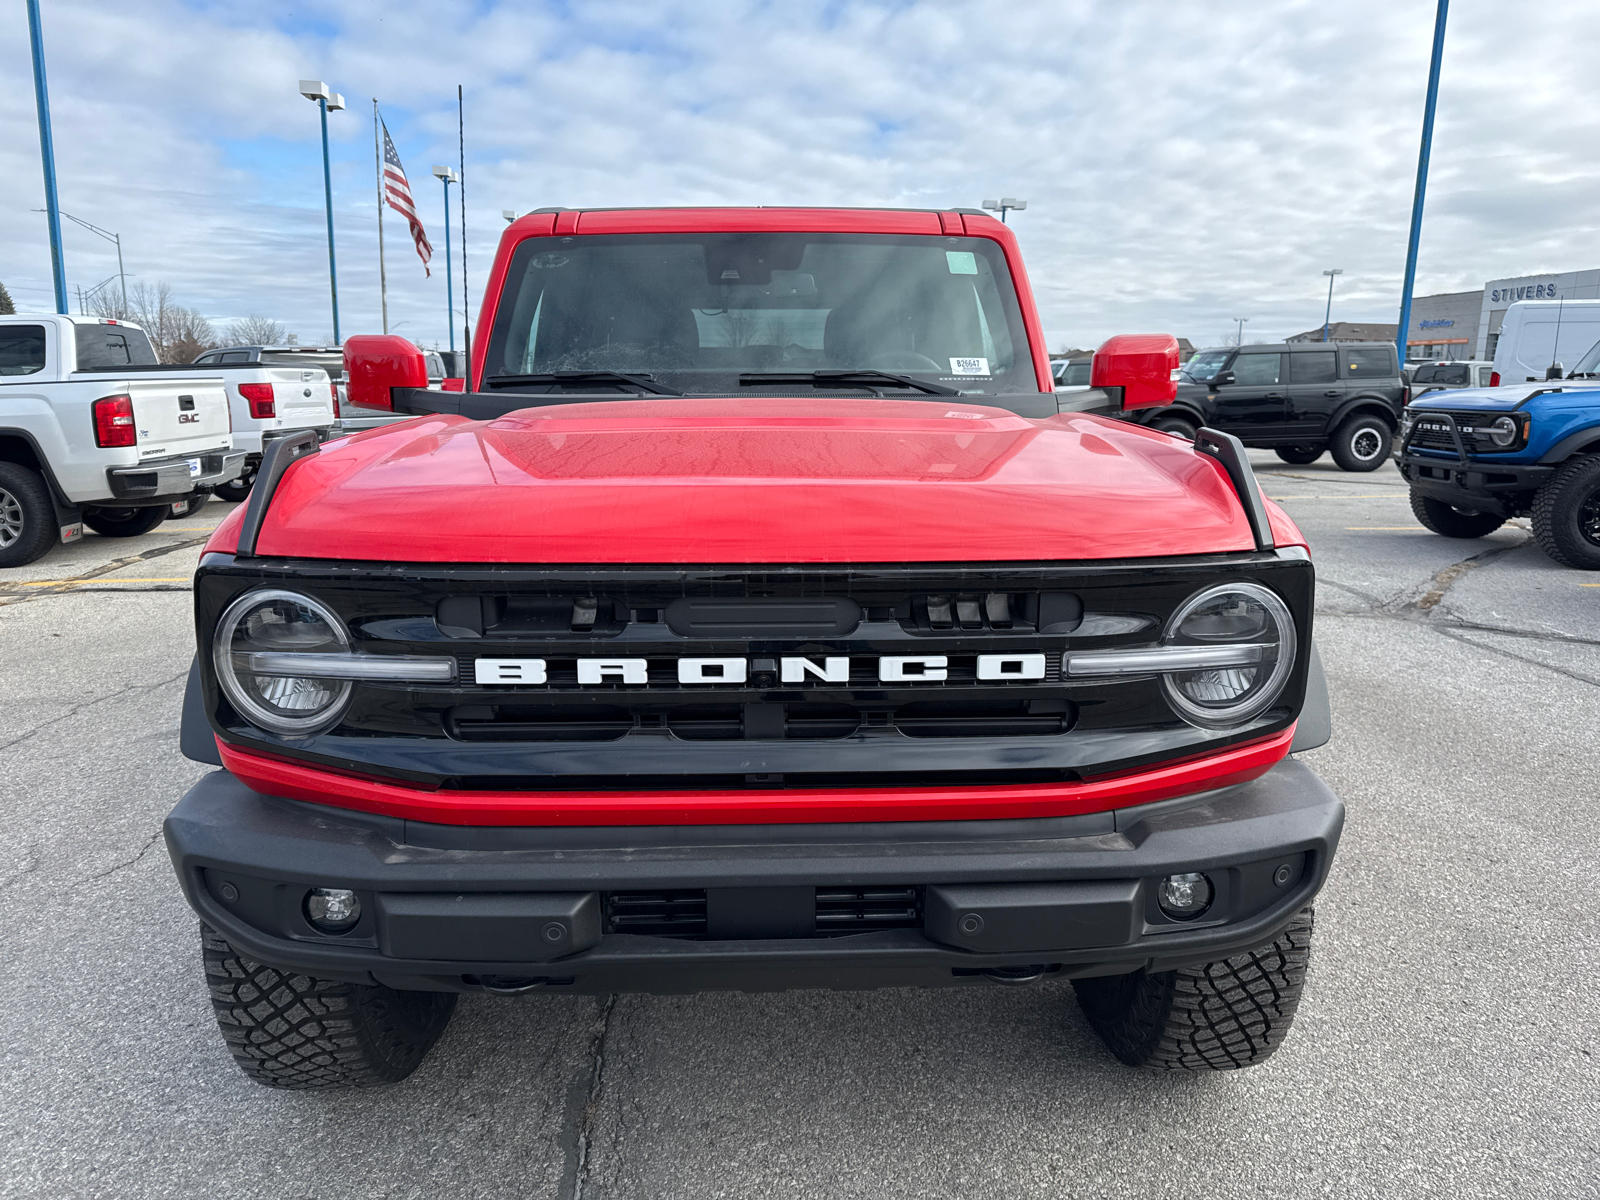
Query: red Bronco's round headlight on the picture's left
x=279, y=622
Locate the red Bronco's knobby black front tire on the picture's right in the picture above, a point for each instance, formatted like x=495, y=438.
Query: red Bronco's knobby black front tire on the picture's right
x=1220, y=1017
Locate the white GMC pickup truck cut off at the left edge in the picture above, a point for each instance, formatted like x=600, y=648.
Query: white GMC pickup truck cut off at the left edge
x=95, y=433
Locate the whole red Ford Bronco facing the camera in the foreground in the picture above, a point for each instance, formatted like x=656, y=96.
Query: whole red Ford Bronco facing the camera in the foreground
x=754, y=617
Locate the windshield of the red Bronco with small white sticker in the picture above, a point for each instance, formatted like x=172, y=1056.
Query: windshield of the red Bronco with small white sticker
x=713, y=313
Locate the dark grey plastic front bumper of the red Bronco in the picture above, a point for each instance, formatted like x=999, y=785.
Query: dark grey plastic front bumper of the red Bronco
x=449, y=908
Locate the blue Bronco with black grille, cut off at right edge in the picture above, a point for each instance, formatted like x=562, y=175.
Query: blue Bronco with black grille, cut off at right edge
x=1481, y=457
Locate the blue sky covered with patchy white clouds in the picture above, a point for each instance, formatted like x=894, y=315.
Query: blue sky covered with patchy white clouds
x=1186, y=162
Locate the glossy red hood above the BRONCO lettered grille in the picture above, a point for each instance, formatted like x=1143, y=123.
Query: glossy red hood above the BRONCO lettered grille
x=754, y=481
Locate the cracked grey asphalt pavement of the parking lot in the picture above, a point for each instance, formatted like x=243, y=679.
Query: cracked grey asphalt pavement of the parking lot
x=1446, y=1047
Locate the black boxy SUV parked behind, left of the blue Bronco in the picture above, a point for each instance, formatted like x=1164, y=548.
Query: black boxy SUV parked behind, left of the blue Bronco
x=1298, y=399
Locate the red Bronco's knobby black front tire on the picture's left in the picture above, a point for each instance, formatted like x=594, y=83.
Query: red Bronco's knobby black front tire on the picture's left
x=292, y=1031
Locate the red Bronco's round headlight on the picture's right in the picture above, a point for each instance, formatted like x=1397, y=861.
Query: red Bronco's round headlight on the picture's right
x=1226, y=617
